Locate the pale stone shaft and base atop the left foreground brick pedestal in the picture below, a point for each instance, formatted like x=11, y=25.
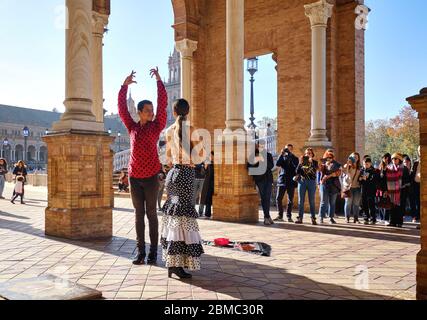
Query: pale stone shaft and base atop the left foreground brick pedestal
x=78, y=70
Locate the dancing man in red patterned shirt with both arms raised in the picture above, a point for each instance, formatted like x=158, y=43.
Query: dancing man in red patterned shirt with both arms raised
x=144, y=164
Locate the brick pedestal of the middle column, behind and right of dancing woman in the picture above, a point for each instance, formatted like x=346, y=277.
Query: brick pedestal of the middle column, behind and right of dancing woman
x=235, y=198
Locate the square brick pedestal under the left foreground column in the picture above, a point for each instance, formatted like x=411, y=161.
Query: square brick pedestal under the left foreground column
x=80, y=193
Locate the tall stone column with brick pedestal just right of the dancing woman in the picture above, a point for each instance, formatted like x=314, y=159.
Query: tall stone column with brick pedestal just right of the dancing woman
x=235, y=197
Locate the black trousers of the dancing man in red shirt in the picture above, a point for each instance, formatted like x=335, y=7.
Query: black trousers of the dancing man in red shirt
x=144, y=198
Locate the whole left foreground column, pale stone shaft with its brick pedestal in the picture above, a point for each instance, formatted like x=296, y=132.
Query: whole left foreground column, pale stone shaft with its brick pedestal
x=80, y=193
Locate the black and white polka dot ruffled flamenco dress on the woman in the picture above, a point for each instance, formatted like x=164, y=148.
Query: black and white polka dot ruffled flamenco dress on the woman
x=180, y=238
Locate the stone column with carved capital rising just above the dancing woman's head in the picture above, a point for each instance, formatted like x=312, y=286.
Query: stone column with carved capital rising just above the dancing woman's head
x=186, y=48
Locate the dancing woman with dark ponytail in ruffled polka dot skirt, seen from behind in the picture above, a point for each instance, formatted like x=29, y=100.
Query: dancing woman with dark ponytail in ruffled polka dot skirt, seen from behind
x=180, y=238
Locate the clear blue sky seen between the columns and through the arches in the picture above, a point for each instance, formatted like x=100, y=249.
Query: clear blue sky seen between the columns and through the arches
x=32, y=64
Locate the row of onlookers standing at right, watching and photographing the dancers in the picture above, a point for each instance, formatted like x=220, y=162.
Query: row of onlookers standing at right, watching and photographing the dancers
x=386, y=192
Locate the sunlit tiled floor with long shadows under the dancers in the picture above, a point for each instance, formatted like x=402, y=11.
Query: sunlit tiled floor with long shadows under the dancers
x=307, y=262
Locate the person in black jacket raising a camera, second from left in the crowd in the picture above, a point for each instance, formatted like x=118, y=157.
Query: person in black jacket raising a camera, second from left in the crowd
x=288, y=163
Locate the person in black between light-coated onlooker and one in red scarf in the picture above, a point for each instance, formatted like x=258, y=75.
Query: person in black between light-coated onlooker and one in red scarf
x=369, y=179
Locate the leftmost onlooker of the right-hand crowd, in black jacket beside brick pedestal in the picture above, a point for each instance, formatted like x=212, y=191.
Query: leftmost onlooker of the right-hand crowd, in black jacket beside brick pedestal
x=263, y=161
